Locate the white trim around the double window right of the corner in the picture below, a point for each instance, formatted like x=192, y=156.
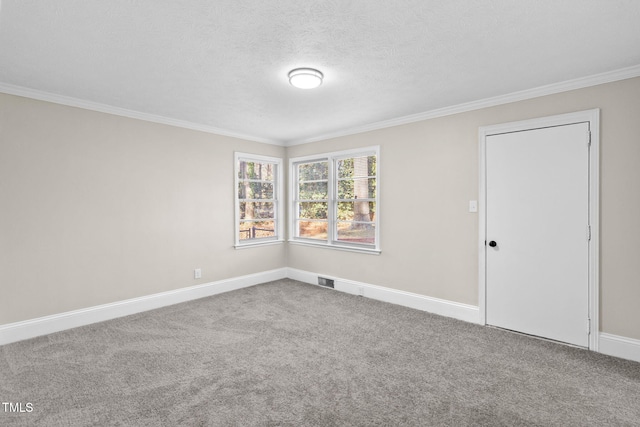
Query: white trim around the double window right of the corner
x=331, y=242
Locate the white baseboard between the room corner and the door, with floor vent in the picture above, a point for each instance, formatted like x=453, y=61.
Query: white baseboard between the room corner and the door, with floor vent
x=468, y=313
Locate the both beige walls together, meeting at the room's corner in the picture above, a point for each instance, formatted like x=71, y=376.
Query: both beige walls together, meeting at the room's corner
x=99, y=208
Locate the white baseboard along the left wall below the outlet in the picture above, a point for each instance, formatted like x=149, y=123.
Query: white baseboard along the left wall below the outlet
x=19, y=331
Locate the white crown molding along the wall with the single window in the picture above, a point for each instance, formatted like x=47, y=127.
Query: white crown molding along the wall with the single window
x=109, y=109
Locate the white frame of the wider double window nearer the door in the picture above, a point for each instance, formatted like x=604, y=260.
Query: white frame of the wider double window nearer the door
x=332, y=241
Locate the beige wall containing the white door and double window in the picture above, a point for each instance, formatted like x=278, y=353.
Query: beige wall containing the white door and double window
x=429, y=172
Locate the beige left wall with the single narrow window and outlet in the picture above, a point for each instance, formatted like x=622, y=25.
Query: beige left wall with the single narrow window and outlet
x=97, y=208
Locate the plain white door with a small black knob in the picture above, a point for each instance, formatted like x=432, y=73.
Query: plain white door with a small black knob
x=537, y=216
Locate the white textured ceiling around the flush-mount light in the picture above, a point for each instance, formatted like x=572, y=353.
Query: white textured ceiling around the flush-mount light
x=222, y=65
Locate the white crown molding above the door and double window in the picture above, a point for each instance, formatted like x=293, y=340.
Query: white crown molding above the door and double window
x=580, y=83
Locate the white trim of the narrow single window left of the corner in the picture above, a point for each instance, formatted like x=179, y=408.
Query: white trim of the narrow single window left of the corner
x=278, y=207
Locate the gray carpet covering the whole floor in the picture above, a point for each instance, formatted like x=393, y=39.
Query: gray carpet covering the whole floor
x=291, y=354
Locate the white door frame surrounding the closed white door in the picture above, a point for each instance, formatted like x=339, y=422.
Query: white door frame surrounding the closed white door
x=593, y=117
